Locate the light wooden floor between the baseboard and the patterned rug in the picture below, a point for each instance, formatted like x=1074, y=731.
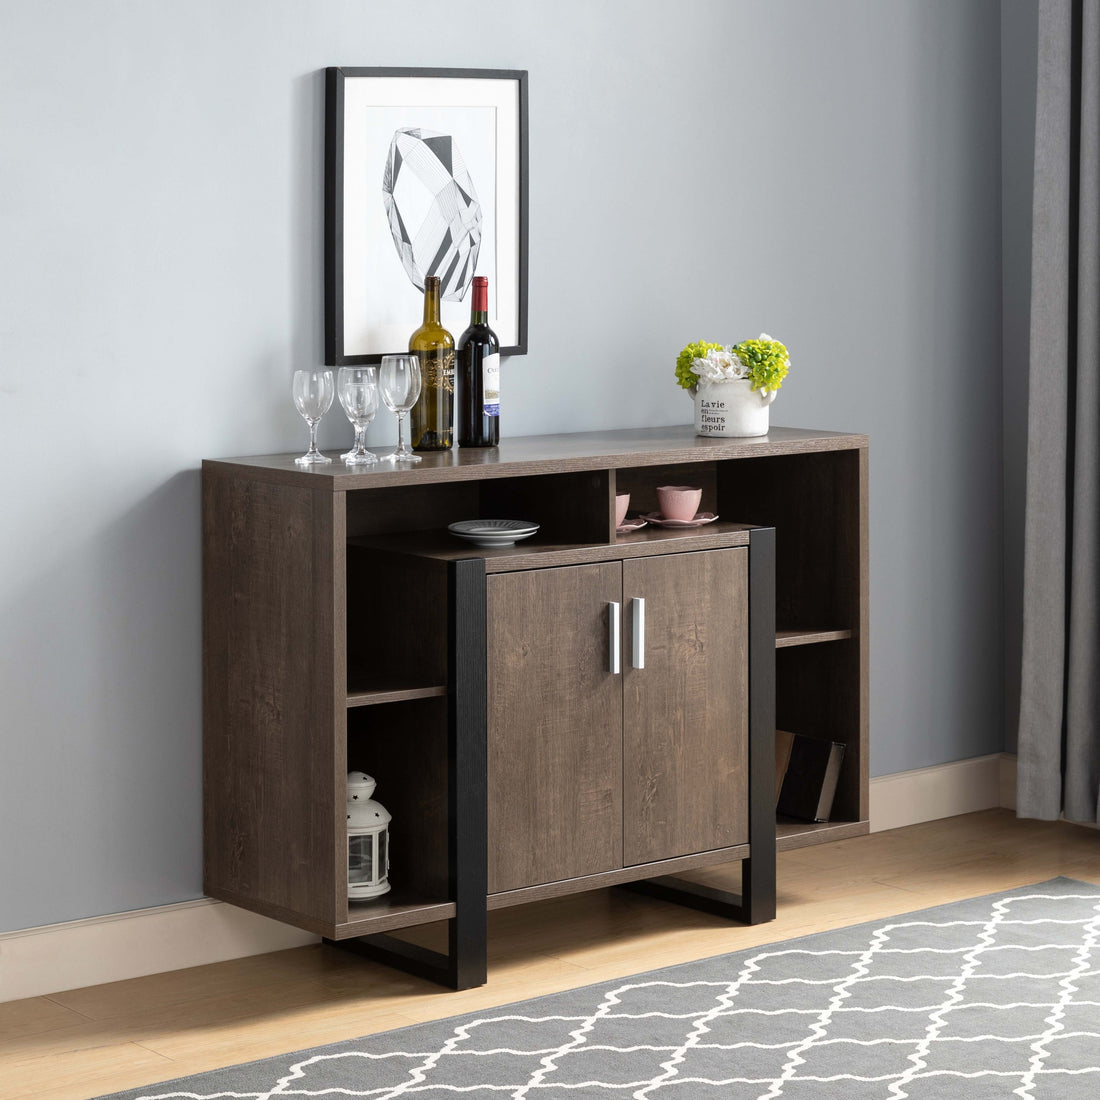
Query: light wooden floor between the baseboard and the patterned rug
x=81, y=1044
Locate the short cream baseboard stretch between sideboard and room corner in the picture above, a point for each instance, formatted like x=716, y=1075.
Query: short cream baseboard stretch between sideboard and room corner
x=945, y=790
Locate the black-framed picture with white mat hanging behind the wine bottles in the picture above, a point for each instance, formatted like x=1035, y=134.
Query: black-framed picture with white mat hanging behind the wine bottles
x=425, y=174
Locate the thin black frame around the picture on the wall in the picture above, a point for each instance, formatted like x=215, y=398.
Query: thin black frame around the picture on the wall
x=337, y=200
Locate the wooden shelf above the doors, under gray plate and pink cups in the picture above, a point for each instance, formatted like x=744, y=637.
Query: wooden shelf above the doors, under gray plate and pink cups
x=532, y=554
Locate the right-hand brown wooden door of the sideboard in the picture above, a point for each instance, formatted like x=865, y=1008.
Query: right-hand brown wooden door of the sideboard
x=686, y=735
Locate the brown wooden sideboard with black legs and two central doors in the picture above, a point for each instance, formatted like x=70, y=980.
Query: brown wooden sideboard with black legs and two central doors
x=579, y=711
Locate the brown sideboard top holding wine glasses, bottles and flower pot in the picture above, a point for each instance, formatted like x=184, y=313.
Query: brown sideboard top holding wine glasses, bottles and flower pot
x=542, y=455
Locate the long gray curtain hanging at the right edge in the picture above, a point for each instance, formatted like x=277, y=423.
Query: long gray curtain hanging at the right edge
x=1059, y=766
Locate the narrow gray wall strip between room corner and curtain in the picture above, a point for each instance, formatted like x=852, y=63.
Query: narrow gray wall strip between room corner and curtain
x=1019, y=47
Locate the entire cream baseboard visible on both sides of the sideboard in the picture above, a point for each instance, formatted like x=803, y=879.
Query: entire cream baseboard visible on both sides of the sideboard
x=37, y=962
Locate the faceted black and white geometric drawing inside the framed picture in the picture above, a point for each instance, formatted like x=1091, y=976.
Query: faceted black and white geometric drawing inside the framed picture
x=433, y=207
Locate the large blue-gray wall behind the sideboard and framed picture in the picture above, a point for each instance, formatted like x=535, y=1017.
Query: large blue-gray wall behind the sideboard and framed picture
x=826, y=173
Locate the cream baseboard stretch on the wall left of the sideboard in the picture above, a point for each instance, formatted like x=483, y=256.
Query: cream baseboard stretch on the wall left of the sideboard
x=36, y=962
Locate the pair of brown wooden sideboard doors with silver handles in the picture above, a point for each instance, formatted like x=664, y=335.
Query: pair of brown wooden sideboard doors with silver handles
x=607, y=754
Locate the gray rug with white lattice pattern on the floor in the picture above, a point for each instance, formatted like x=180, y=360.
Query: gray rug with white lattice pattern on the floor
x=997, y=997
